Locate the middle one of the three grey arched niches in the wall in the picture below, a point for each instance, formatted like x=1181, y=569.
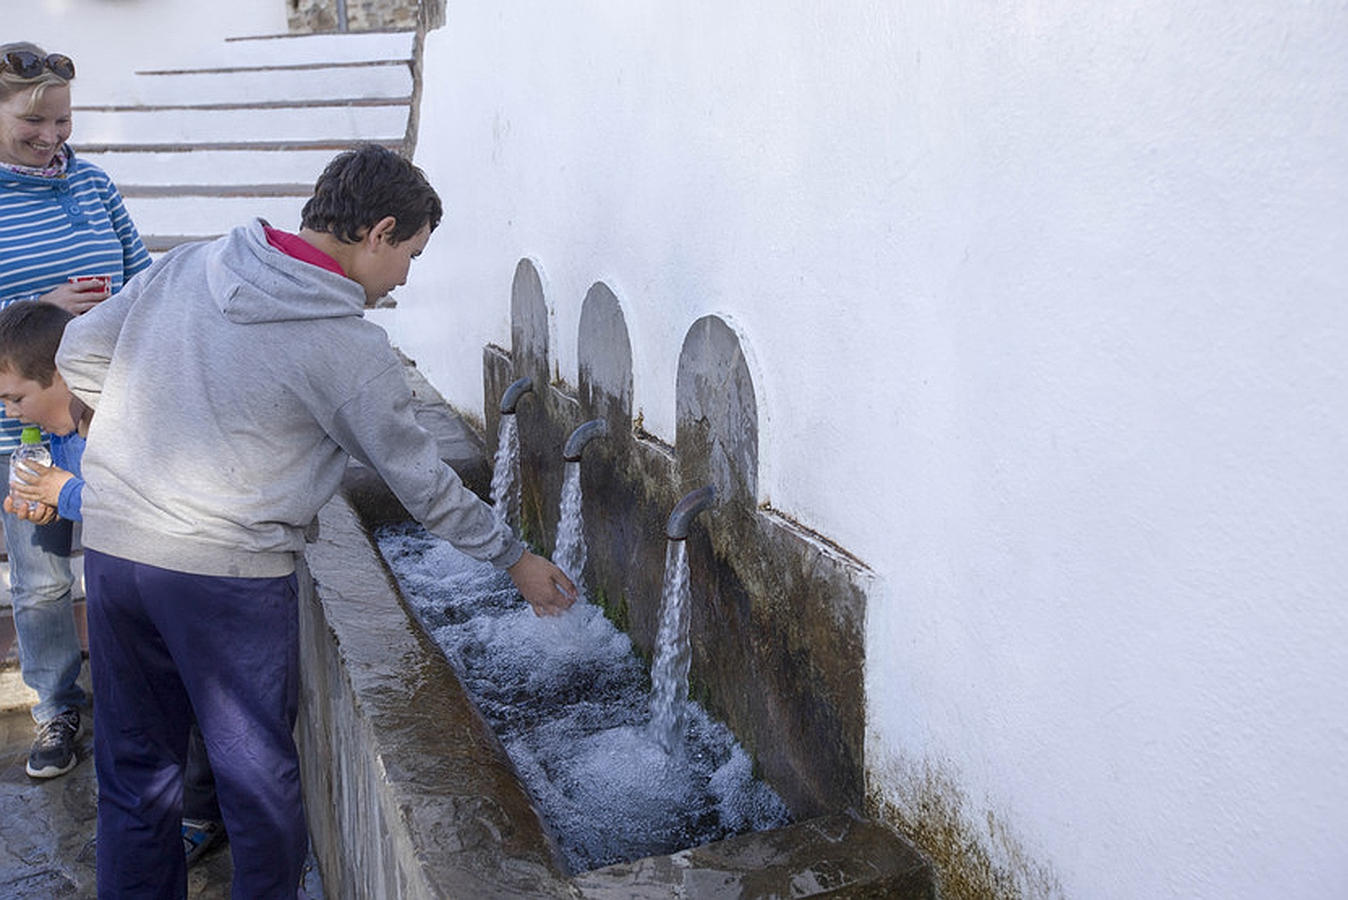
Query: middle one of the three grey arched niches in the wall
x=606, y=360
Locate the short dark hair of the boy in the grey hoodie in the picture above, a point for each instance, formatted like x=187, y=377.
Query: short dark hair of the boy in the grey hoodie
x=365, y=185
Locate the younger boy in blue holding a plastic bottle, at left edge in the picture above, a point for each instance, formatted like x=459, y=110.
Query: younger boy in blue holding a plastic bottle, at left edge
x=36, y=394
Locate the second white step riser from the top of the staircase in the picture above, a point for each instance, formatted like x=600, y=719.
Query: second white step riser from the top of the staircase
x=369, y=82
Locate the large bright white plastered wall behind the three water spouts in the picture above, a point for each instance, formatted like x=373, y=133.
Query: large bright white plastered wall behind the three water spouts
x=1049, y=308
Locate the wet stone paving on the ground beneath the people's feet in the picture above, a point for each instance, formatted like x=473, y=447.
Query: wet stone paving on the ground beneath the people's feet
x=48, y=828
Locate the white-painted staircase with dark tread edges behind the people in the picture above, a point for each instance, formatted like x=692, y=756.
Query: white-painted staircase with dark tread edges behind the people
x=246, y=129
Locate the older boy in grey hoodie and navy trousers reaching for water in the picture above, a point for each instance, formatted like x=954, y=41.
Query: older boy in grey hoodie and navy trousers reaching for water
x=233, y=382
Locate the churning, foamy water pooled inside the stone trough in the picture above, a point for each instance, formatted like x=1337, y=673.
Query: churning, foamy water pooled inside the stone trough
x=570, y=701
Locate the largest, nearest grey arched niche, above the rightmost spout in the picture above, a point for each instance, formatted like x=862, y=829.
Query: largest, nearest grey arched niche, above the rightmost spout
x=716, y=413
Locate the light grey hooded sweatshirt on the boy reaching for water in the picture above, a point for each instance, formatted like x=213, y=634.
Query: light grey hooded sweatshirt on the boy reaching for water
x=231, y=382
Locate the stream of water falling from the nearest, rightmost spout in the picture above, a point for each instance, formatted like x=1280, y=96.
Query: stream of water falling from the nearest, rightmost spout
x=673, y=654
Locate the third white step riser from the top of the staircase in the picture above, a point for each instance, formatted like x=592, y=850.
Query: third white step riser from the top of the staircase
x=215, y=126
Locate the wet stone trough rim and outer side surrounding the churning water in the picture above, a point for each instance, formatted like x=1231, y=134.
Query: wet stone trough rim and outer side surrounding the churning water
x=410, y=796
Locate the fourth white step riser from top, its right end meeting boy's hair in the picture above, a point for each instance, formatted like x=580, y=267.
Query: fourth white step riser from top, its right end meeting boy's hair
x=214, y=166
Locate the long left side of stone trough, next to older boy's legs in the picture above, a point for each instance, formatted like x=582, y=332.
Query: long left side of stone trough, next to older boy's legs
x=408, y=792
